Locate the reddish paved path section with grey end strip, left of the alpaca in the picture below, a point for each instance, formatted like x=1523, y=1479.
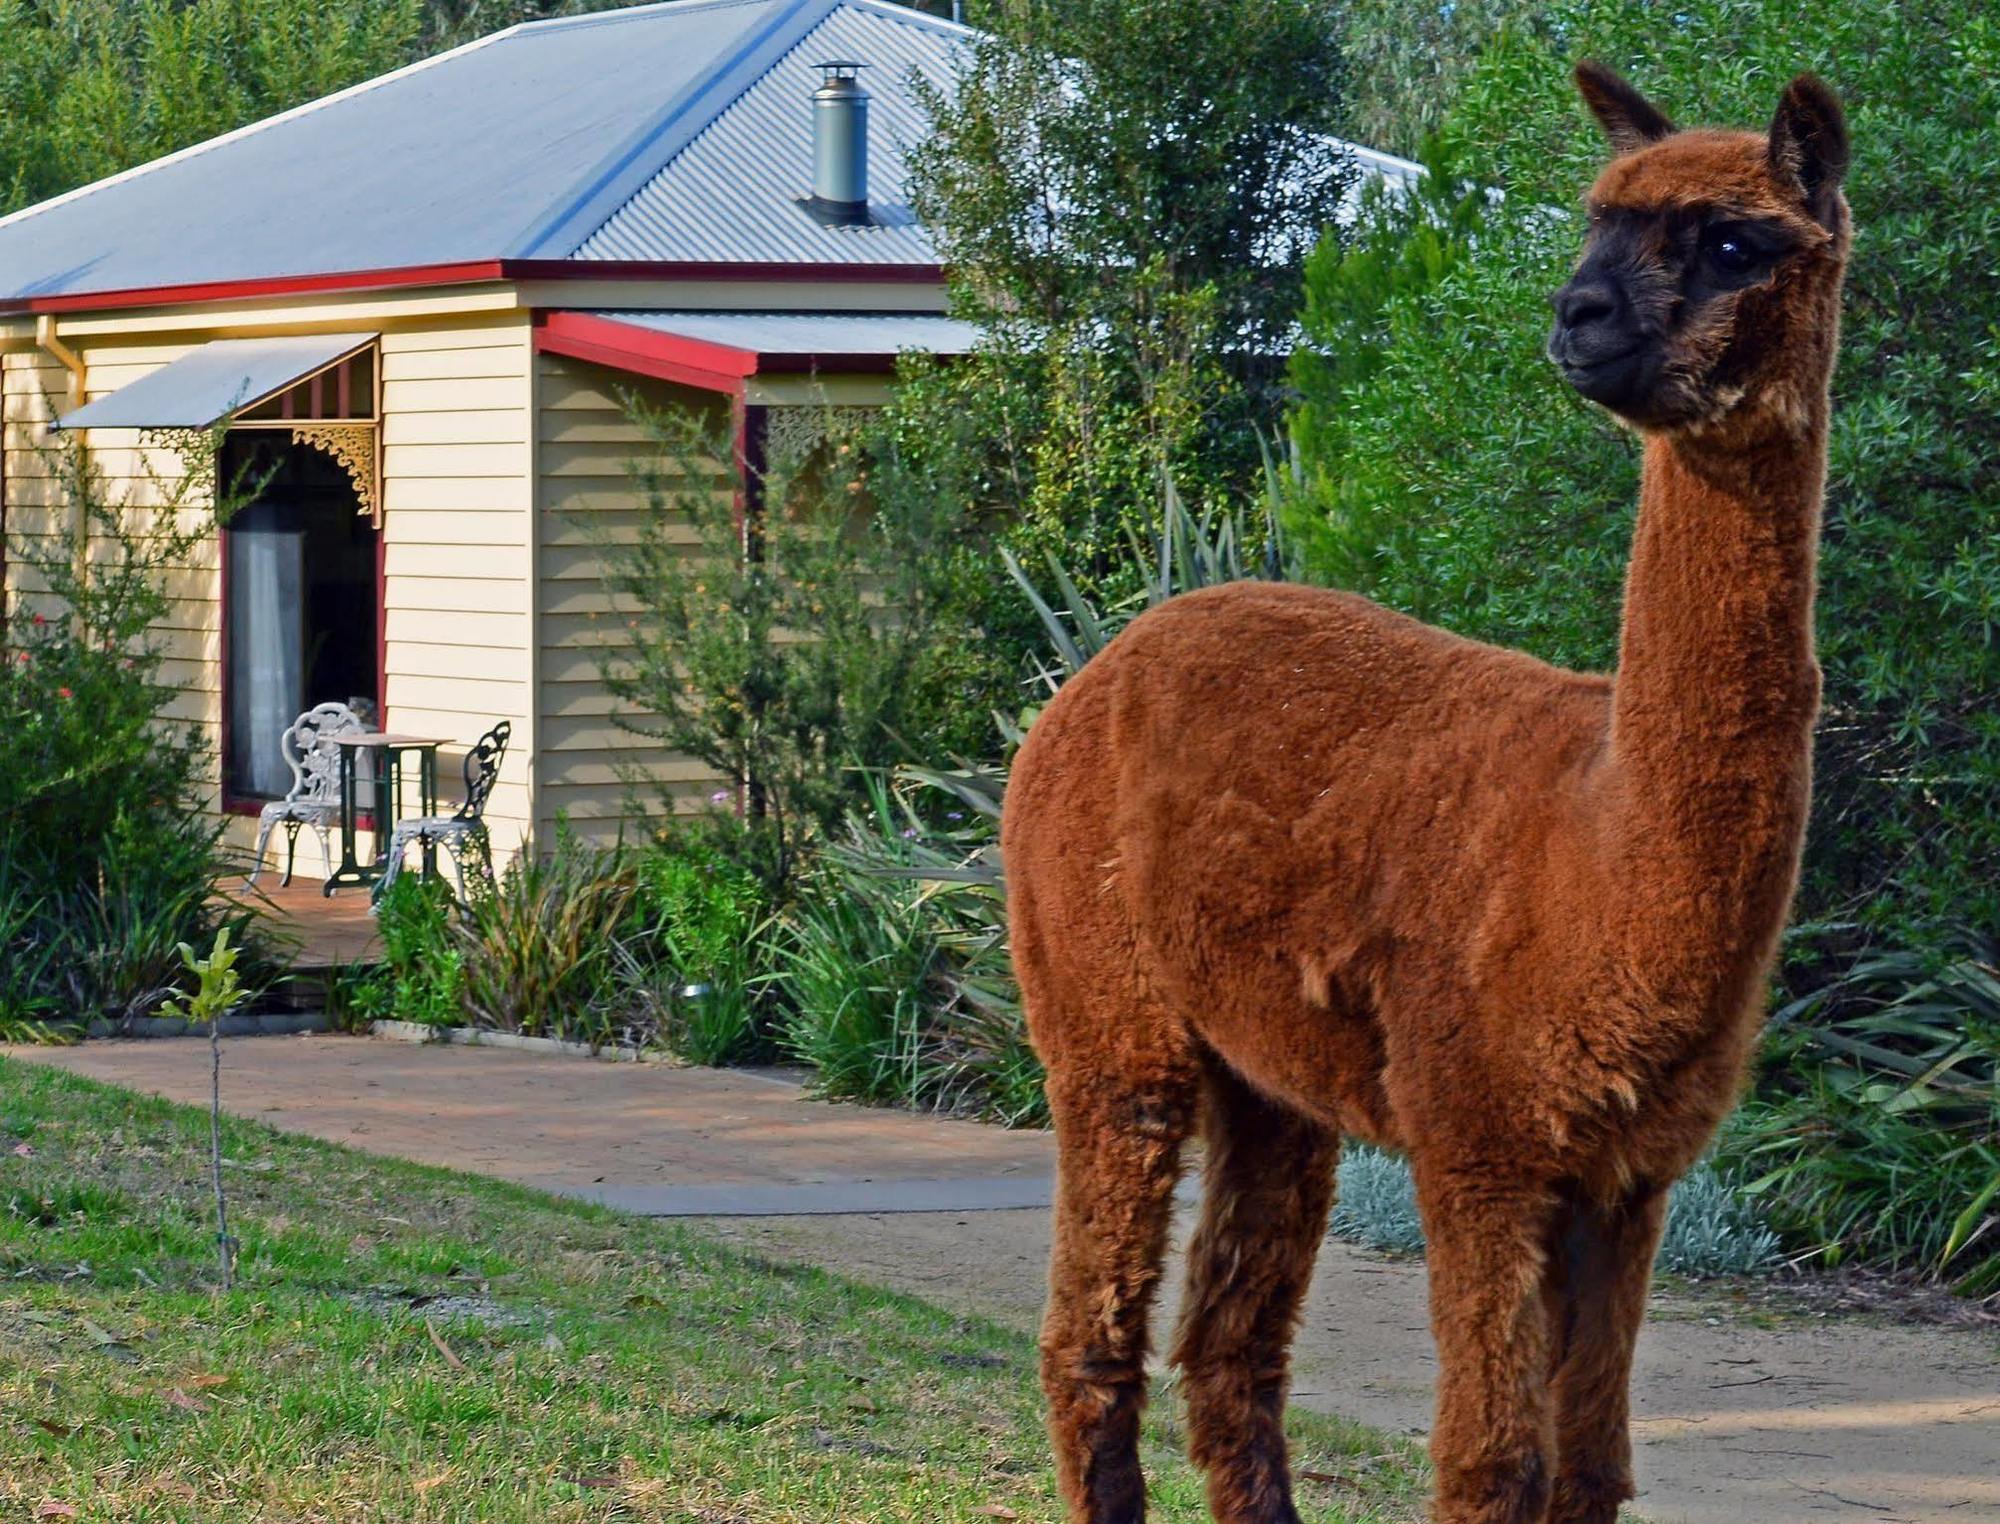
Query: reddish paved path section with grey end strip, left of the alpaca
x=639, y=1137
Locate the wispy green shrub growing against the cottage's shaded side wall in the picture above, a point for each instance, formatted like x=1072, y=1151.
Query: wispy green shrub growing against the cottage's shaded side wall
x=781, y=649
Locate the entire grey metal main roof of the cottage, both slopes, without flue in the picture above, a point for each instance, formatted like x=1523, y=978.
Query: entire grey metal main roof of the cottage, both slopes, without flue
x=671, y=133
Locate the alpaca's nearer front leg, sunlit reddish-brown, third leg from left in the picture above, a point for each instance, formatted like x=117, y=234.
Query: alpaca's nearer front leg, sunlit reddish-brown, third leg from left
x=1493, y=1439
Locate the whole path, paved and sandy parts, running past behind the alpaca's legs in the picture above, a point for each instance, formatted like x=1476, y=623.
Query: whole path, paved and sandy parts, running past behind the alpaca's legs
x=1817, y=1419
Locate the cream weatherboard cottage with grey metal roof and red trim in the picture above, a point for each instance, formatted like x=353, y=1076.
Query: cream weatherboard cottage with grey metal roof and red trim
x=419, y=305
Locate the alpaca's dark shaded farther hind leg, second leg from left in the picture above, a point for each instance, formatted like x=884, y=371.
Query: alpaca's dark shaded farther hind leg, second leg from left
x=1271, y=1185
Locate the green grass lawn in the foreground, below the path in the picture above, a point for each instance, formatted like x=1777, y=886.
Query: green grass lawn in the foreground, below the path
x=419, y=1345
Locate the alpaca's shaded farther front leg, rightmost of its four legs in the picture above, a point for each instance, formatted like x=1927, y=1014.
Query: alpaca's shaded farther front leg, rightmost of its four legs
x=1601, y=1265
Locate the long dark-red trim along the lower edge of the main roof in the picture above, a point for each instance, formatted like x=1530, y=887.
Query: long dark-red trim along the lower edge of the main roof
x=471, y=273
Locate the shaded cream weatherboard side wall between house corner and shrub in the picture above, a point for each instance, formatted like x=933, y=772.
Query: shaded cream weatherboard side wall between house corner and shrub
x=587, y=443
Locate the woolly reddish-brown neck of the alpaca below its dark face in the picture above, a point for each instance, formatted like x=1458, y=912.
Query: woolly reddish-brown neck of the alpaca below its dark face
x=1717, y=679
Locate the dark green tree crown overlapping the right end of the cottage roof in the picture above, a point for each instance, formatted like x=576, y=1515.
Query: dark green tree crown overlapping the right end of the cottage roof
x=1091, y=143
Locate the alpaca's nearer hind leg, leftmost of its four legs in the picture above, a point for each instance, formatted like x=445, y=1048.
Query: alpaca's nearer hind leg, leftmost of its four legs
x=1119, y=1139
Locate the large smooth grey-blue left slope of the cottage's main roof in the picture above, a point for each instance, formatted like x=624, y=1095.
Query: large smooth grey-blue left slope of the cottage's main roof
x=475, y=155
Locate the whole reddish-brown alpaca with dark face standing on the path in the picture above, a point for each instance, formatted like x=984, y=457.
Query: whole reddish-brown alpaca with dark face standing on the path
x=1287, y=867
